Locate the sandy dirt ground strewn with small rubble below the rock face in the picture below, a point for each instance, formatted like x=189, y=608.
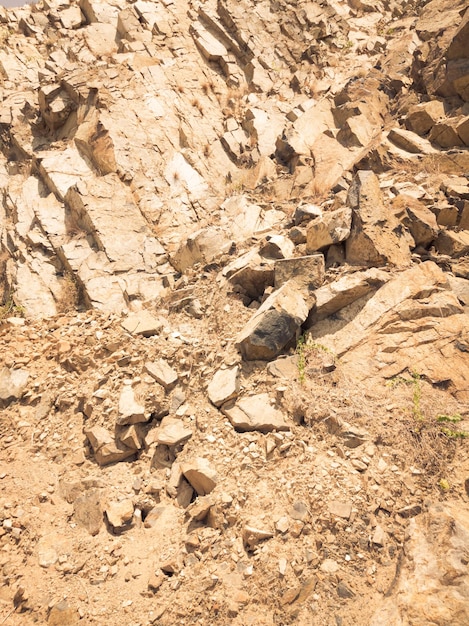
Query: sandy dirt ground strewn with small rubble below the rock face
x=332, y=499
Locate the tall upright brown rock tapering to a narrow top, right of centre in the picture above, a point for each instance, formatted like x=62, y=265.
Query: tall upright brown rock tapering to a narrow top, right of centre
x=376, y=237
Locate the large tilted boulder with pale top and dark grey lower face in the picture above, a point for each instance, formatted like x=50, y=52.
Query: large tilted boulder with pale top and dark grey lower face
x=275, y=323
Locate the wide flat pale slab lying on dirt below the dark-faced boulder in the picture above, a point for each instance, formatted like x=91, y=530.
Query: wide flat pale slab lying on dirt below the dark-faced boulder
x=255, y=413
